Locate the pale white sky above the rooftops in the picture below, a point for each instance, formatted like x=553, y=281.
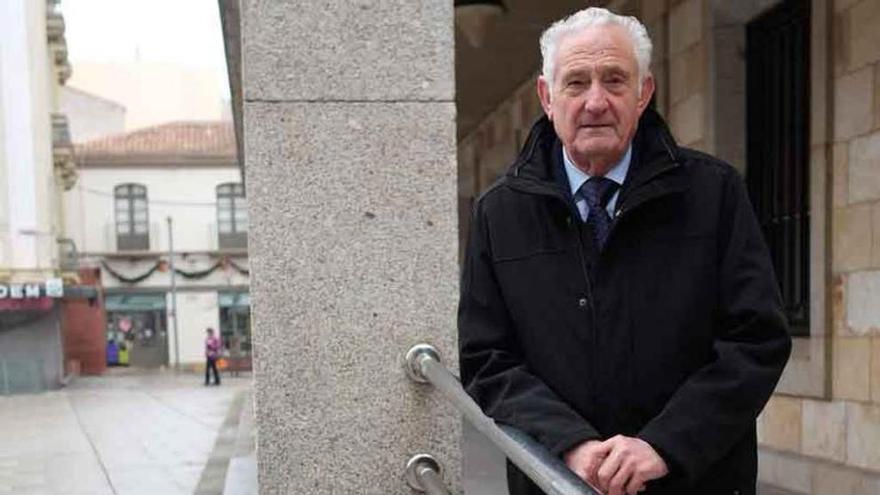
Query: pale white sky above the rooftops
x=183, y=32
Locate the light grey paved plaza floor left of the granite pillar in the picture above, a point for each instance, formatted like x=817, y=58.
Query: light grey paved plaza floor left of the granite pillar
x=129, y=432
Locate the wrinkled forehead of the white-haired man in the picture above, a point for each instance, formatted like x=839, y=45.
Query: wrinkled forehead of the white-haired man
x=608, y=43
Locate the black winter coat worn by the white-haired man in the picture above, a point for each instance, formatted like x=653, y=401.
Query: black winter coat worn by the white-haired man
x=672, y=333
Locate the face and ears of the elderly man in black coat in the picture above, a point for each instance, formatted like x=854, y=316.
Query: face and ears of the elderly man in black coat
x=594, y=102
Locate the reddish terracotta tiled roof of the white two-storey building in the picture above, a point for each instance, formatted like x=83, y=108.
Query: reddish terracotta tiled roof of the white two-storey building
x=184, y=139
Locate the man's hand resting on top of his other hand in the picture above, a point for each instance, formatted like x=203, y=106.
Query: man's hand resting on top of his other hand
x=629, y=464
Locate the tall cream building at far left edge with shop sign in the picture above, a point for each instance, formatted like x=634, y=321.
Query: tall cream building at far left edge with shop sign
x=36, y=167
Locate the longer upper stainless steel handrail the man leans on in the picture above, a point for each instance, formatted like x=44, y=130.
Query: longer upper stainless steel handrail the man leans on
x=424, y=365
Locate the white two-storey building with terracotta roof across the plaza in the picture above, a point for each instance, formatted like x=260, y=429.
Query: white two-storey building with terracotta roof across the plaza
x=138, y=193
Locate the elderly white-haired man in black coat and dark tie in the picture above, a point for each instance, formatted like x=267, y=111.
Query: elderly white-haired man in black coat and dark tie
x=618, y=301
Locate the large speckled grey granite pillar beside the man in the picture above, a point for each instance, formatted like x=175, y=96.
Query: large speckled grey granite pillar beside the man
x=349, y=124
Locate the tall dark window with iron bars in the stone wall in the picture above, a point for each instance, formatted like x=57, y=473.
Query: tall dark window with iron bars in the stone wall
x=778, y=106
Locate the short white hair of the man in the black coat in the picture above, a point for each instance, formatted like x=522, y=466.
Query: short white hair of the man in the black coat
x=592, y=17
